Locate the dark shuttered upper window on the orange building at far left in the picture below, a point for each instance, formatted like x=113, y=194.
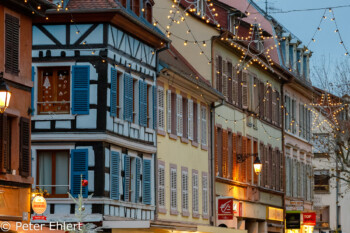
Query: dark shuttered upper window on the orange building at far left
x=11, y=44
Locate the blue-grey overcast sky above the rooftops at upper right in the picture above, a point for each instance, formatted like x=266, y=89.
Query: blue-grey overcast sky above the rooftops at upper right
x=303, y=24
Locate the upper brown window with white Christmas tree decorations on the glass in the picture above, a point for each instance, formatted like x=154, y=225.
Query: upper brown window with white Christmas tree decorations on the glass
x=54, y=90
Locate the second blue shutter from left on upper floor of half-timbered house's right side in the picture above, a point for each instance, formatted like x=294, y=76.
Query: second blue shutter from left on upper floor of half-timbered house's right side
x=128, y=97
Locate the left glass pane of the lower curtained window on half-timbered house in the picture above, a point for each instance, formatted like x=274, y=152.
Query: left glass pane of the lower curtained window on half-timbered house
x=45, y=174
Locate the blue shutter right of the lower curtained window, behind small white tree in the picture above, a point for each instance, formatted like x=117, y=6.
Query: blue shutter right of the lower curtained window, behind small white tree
x=79, y=165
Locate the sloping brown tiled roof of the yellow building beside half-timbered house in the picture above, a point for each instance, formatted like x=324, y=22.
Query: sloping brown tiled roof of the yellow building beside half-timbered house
x=172, y=60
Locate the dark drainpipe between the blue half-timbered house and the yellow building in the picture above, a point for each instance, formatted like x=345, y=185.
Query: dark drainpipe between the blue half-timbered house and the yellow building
x=156, y=140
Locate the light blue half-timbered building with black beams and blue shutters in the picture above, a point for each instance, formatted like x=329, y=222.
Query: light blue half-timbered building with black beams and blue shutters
x=94, y=110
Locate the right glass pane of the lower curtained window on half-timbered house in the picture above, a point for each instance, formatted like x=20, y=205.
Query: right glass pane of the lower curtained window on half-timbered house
x=62, y=174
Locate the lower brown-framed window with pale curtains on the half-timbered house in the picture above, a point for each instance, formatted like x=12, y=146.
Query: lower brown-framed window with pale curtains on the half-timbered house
x=53, y=172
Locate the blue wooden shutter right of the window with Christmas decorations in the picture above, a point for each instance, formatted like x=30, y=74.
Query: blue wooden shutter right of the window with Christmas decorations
x=80, y=89
